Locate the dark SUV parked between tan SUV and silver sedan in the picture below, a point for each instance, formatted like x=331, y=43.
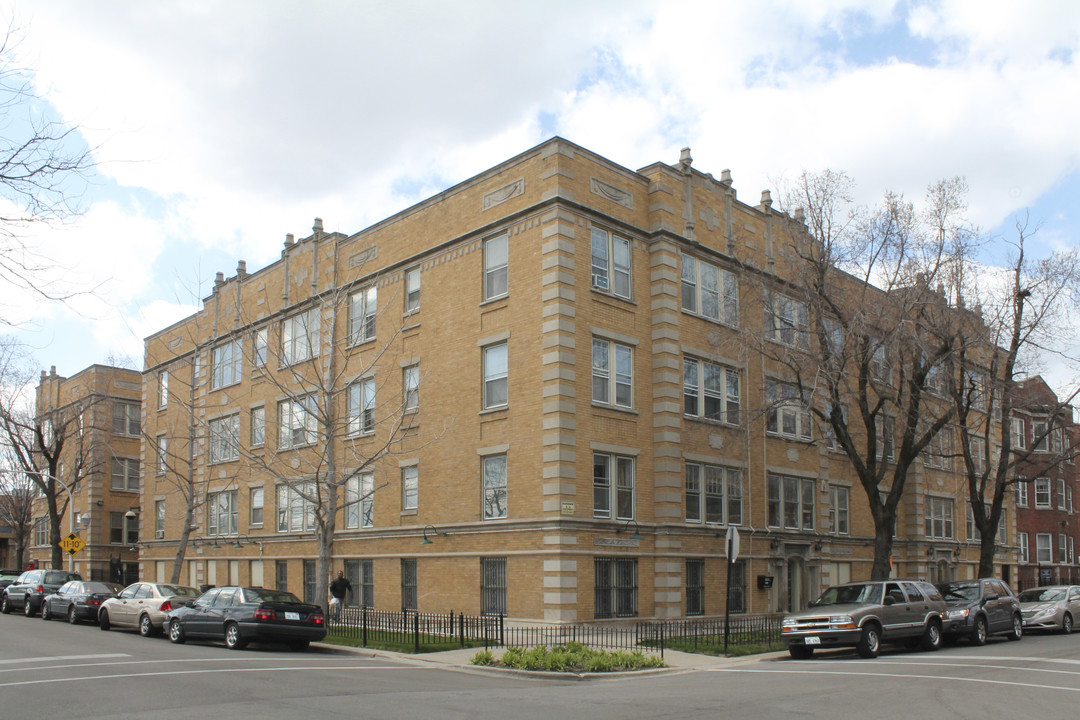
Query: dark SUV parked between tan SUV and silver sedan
x=981, y=608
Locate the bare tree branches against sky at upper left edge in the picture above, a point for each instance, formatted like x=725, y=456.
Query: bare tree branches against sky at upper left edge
x=44, y=169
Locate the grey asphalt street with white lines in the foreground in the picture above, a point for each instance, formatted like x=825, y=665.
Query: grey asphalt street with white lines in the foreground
x=55, y=670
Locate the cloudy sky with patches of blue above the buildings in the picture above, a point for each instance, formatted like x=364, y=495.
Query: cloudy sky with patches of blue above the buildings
x=221, y=127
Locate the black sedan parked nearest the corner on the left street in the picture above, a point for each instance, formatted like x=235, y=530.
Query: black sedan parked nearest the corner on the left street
x=242, y=615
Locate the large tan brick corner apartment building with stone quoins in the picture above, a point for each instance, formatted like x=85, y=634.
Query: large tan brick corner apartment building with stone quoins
x=558, y=346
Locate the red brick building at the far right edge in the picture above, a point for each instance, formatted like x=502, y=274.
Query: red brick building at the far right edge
x=1047, y=523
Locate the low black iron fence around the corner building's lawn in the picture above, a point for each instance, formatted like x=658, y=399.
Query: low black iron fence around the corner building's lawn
x=434, y=632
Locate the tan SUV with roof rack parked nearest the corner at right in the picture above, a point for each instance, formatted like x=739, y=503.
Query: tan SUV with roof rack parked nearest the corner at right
x=862, y=616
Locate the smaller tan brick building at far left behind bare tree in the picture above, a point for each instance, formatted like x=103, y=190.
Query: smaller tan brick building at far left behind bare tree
x=100, y=412
